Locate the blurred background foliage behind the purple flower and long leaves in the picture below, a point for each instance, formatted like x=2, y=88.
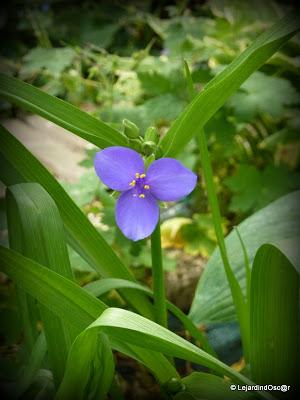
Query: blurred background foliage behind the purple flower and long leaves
x=118, y=60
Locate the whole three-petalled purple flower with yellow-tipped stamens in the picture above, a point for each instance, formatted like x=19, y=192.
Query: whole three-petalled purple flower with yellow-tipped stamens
x=137, y=210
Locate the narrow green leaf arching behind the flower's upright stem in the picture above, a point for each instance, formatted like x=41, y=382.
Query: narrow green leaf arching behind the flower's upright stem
x=102, y=286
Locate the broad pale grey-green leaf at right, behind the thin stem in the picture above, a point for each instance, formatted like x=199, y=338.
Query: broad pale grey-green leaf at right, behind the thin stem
x=277, y=221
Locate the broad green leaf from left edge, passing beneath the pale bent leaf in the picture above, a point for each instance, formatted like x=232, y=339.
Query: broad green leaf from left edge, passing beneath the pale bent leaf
x=72, y=303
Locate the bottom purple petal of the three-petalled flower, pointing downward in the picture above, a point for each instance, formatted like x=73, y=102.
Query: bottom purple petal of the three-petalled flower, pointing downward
x=135, y=216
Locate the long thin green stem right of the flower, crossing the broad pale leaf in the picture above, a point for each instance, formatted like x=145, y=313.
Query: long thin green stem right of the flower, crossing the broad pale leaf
x=236, y=291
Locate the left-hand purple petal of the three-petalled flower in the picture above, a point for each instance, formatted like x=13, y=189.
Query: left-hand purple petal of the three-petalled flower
x=116, y=166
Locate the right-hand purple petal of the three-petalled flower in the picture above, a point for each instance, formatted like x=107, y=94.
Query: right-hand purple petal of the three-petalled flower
x=169, y=180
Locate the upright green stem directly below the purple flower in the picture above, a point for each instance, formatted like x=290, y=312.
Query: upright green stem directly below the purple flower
x=160, y=308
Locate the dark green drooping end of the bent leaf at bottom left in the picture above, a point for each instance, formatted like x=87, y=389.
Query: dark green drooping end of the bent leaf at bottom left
x=90, y=368
